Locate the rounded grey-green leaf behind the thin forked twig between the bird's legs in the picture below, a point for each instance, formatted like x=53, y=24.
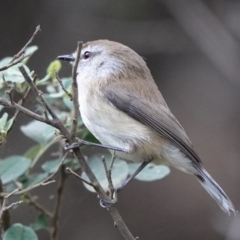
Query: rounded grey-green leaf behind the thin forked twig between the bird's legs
x=119, y=172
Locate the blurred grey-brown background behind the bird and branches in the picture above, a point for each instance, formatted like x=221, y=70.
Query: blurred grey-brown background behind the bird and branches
x=192, y=49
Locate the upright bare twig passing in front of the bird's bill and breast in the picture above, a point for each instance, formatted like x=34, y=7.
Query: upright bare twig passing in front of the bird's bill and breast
x=75, y=93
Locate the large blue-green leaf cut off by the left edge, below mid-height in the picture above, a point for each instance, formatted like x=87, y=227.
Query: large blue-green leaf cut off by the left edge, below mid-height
x=13, y=167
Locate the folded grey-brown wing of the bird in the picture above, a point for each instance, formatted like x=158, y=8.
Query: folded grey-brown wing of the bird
x=157, y=117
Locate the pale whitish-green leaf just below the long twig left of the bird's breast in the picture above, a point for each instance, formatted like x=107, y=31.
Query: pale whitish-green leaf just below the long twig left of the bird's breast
x=38, y=131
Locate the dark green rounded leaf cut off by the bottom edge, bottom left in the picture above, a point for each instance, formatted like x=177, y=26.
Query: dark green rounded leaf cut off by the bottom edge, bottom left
x=20, y=232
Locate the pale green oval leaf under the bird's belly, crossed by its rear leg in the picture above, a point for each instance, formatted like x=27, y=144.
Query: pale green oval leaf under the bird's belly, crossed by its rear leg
x=151, y=172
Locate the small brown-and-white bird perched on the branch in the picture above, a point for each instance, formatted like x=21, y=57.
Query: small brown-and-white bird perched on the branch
x=122, y=107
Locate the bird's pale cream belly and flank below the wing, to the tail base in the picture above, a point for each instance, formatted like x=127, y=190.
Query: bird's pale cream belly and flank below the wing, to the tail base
x=141, y=143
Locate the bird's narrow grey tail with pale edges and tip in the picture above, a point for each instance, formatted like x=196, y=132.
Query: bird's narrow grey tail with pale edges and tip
x=215, y=191
